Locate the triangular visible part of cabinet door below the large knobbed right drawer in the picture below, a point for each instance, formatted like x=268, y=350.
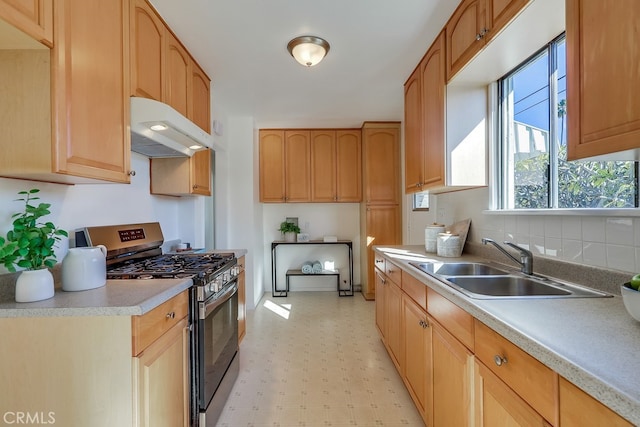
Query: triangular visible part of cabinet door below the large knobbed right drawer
x=498, y=405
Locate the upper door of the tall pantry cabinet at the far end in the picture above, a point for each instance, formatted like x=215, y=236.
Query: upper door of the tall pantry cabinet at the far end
x=381, y=152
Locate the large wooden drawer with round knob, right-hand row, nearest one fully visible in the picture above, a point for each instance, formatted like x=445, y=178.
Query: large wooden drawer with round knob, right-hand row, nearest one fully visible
x=534, y=382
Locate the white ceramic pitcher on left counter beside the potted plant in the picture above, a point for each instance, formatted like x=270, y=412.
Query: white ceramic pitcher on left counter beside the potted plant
x=84, y=268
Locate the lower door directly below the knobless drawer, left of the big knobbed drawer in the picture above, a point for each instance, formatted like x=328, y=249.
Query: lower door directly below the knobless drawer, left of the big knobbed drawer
x=452, y=379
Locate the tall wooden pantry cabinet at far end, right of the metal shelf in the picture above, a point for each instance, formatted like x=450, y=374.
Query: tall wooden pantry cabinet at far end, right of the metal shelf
x=380, y=212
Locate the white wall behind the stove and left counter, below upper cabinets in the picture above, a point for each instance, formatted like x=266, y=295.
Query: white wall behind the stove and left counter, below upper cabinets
x=76, y=206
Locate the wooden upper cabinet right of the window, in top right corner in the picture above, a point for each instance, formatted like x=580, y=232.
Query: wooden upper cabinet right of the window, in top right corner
x=603, y=79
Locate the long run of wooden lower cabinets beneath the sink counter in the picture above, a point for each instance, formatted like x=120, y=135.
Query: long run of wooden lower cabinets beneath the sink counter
x=460, y=372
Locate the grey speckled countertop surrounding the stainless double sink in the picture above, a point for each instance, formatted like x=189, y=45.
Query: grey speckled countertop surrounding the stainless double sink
x=592, y=342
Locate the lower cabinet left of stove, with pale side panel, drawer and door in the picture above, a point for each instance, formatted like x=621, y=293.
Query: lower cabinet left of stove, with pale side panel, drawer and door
x=98, y=371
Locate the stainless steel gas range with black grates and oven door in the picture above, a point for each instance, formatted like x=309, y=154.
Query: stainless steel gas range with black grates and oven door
x=134, y=252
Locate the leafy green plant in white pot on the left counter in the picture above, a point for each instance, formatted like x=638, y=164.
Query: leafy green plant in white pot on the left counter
x=29, y=245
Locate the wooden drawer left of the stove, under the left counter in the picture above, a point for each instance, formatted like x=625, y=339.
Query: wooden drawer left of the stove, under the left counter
x=149, y=327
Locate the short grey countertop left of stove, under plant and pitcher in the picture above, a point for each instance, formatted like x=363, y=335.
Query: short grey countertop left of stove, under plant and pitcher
x=116, y=298
